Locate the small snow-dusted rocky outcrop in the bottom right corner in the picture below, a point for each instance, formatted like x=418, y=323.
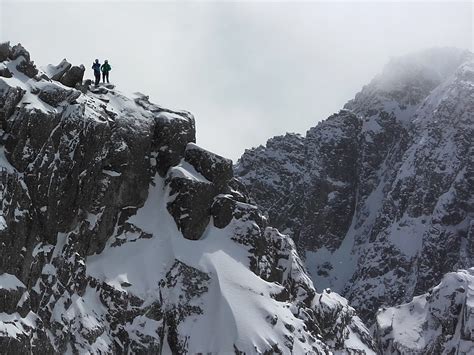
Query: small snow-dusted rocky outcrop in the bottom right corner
x=440, y=321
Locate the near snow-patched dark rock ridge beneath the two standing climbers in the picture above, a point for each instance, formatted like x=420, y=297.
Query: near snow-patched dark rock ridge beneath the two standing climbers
x=120, y=235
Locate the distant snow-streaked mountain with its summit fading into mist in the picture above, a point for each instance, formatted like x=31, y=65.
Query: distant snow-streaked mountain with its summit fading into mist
x=384, y=186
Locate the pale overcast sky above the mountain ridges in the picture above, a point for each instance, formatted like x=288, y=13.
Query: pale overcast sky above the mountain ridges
x=246, y=70
